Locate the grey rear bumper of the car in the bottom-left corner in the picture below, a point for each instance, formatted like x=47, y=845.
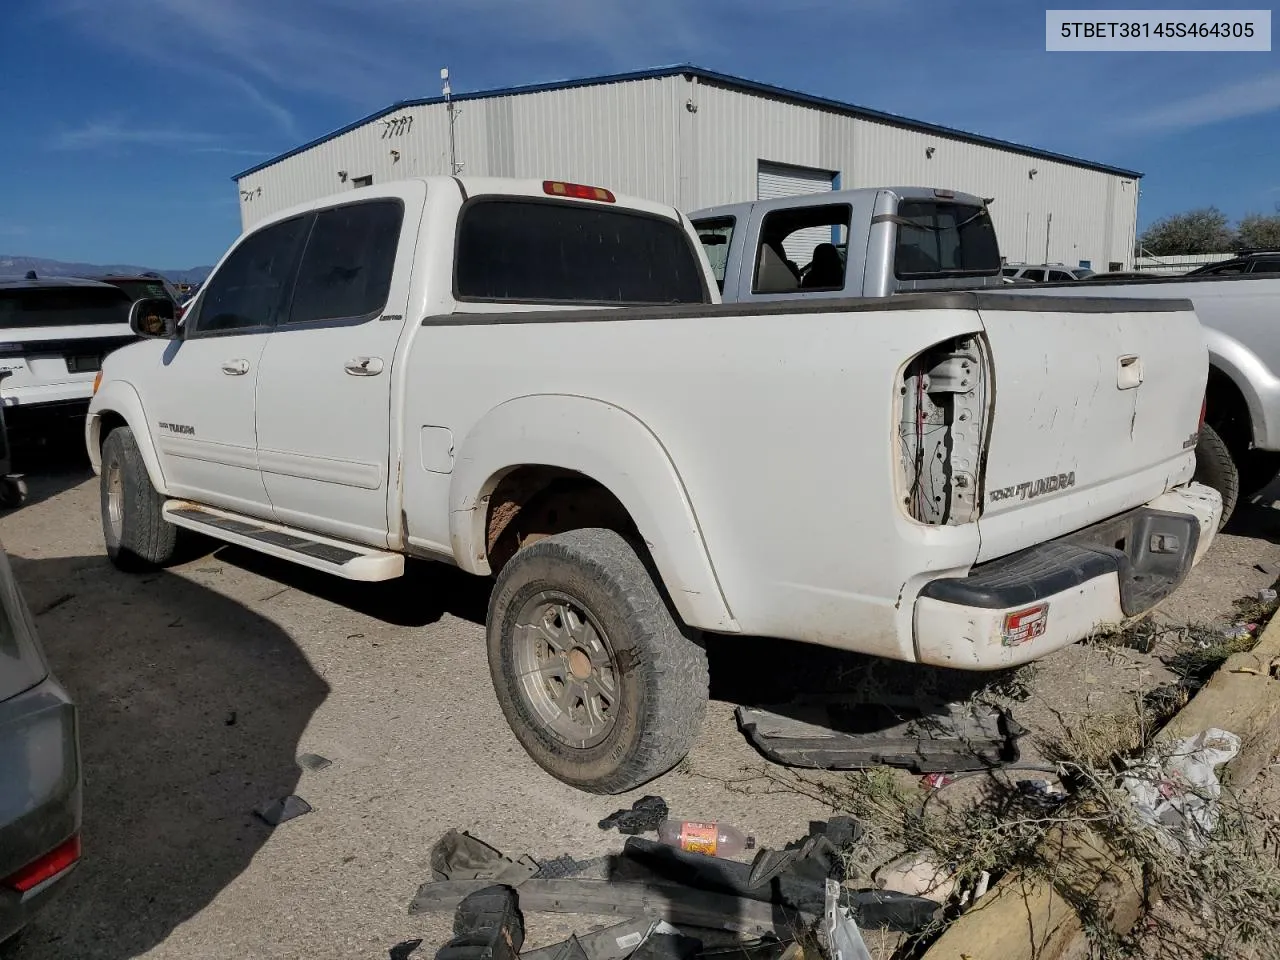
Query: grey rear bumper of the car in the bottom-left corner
x=40, y=793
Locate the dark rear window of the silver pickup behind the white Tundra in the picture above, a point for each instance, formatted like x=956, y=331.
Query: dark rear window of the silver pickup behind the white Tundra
x=938, y=241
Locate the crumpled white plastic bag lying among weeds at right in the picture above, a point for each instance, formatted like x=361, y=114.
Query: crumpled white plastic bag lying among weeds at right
x=1177, y=790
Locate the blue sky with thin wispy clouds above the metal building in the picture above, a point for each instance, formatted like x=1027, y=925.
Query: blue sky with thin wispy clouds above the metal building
x=125, y=120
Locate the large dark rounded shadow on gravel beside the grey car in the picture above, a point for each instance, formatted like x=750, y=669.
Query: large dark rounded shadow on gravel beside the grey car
x=191, y=714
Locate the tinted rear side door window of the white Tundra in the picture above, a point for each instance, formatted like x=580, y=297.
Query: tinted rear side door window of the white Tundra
x=348, y=266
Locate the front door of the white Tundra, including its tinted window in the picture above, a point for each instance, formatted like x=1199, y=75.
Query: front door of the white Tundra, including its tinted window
x=202, y=400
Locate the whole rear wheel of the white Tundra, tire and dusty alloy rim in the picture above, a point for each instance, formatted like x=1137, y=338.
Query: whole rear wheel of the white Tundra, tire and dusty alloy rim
x=600, y=684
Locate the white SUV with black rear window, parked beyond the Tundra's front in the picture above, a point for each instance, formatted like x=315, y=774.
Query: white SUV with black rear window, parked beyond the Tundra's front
x=53, y=337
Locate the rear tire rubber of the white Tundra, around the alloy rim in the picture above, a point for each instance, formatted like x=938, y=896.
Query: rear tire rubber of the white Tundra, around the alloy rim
x=662, y=671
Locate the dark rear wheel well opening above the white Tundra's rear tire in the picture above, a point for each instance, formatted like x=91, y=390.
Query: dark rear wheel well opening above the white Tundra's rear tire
x=534, y=502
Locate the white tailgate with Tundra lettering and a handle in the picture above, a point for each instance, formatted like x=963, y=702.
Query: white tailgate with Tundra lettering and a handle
x=1096, y=413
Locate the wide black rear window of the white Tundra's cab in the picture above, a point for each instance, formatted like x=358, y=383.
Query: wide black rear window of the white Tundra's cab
x=540, y=252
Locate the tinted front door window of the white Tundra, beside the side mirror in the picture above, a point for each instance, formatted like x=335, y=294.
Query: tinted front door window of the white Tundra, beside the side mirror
x=250, y=287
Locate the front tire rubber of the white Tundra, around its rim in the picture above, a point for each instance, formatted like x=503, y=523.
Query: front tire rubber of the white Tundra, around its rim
x=145, y=540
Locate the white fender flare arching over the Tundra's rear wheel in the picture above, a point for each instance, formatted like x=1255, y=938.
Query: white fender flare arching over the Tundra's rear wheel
x=607, y=447
